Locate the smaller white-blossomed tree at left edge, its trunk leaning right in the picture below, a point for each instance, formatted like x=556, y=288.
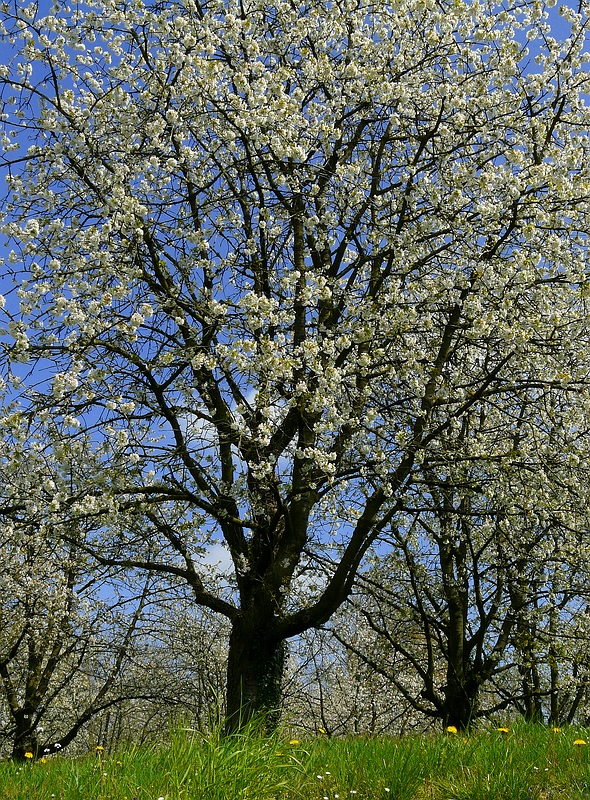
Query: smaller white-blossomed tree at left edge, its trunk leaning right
x=66, y=626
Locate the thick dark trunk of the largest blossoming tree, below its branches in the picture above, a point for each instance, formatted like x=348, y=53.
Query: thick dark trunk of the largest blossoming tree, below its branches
x=255, y=668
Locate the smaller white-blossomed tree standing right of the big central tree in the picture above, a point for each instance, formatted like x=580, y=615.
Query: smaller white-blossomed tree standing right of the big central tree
x=483, y=572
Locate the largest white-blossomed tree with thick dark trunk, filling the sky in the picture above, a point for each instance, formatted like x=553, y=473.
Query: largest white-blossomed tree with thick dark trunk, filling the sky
x=266, y=254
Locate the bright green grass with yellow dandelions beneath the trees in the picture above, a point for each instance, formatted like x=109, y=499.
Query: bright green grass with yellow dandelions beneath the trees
x=524, y=763
